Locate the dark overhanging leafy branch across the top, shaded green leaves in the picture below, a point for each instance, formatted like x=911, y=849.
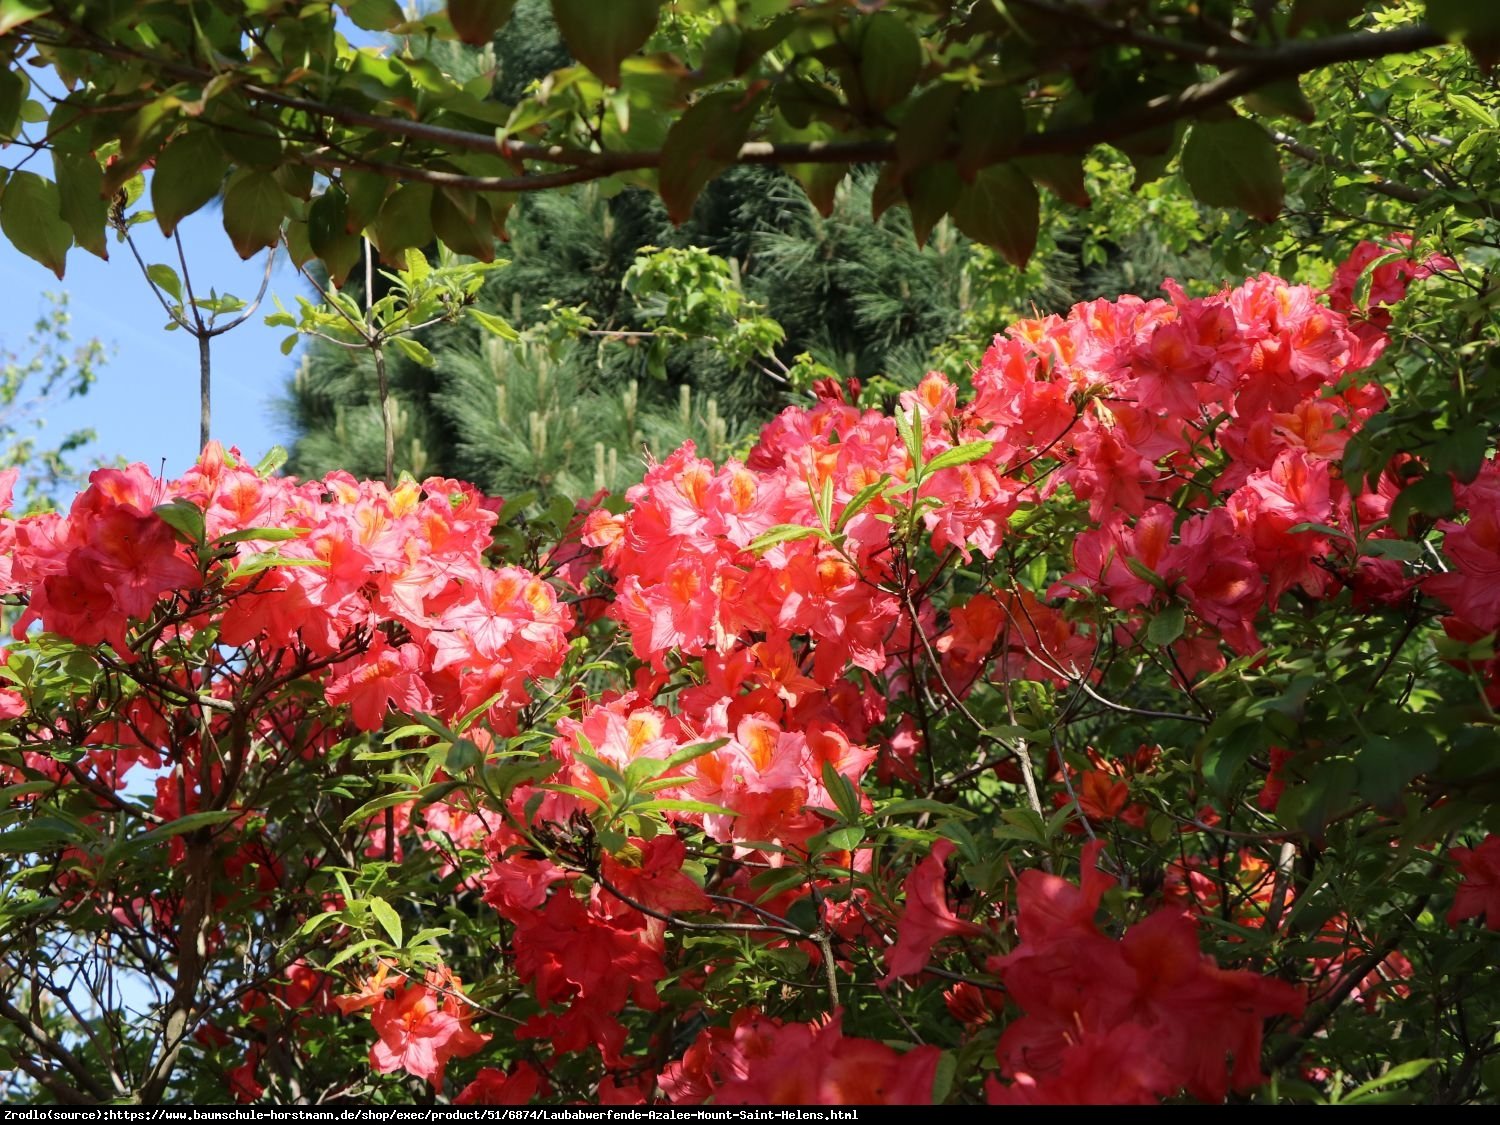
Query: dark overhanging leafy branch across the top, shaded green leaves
x=967, y=107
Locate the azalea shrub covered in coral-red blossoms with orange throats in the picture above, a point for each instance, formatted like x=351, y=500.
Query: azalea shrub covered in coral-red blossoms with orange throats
x=1081, y=733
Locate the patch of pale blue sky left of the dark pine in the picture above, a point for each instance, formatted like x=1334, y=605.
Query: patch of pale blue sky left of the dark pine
x=145, y=406
